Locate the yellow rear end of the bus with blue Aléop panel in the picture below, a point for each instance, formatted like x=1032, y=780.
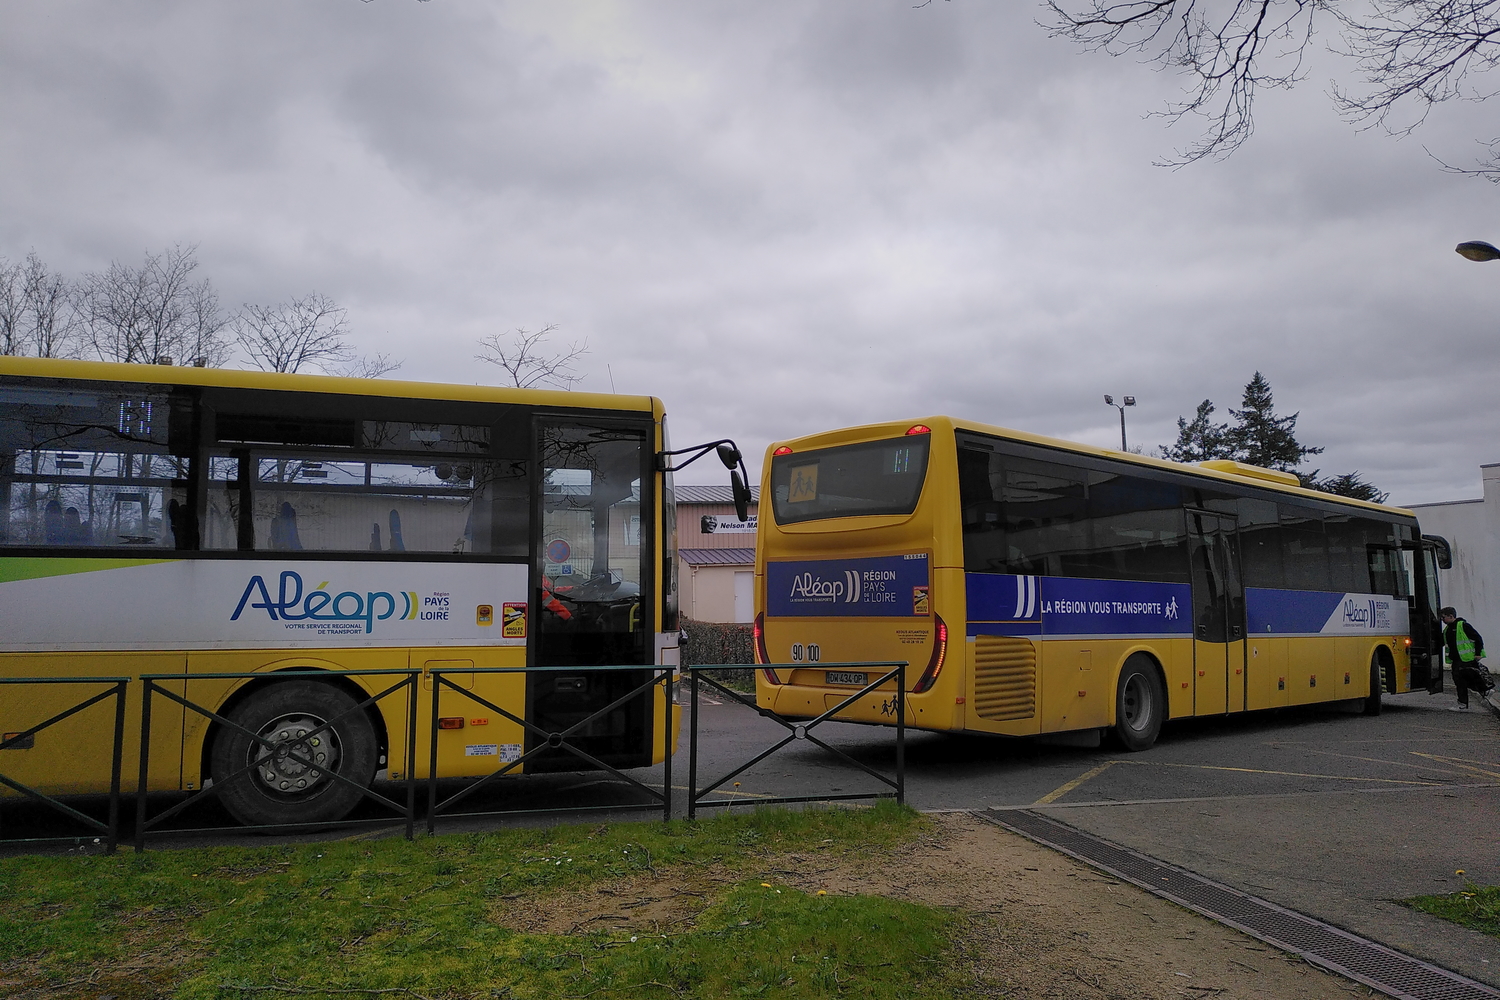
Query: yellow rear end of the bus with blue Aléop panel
x=854, y=567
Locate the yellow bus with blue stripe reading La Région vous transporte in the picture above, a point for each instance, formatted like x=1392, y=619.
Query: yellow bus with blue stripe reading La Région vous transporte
x=1045, y=587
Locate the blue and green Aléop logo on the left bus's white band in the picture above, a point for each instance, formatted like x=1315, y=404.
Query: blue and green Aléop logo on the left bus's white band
x=346, y=611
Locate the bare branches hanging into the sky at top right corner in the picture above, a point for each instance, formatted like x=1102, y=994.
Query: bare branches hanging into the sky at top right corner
x=1412, y=53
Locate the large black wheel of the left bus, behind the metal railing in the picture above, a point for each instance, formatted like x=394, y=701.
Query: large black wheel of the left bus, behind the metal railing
x=280, y=789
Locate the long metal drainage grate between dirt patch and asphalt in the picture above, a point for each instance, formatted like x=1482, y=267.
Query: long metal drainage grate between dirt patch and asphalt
x=1325, y=945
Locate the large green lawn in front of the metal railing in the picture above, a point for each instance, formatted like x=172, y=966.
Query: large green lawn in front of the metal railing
x=437, y=918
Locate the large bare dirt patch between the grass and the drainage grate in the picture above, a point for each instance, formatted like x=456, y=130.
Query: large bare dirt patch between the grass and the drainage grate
x=1043, y=926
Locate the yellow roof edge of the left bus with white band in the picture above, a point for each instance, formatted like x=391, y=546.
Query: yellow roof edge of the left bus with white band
x=236, y=379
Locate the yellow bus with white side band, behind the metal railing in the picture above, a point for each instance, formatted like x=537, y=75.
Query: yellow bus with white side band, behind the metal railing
x=179, y=521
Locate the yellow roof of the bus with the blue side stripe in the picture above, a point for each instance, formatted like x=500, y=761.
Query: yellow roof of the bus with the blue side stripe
x=896, y=428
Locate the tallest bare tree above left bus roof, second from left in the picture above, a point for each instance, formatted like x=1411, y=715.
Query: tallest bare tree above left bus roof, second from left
x=155, y=313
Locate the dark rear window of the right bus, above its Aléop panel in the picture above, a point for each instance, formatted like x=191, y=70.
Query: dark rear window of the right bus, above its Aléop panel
x=878, y=478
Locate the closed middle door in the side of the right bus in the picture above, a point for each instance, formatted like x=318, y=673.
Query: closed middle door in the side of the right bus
x=1219, y=614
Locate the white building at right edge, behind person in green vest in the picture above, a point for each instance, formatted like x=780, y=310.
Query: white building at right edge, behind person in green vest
x=1474, y=530
